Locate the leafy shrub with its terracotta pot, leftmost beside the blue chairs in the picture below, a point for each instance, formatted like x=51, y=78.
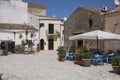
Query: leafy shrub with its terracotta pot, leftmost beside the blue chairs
x=61, y=53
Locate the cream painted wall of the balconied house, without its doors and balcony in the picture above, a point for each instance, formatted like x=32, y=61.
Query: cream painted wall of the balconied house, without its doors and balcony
x=44, y=31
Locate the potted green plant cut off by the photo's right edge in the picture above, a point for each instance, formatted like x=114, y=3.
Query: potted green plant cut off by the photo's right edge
x=116, y=65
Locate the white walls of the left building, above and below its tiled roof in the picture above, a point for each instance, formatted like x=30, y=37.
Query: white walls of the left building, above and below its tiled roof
x=15, y=11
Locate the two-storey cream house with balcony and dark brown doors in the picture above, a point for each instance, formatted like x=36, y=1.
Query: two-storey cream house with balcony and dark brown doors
x=51, y=33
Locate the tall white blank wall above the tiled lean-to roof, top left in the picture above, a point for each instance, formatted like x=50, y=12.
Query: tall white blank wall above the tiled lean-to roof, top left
x=13, y=11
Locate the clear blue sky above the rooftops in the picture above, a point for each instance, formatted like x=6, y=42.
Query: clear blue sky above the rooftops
x=64, y=8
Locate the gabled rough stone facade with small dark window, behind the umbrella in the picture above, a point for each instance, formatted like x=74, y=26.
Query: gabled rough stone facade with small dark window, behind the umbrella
x=84, y=19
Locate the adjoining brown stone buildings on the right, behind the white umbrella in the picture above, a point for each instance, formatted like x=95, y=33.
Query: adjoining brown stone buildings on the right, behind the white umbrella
x=85, y=19
